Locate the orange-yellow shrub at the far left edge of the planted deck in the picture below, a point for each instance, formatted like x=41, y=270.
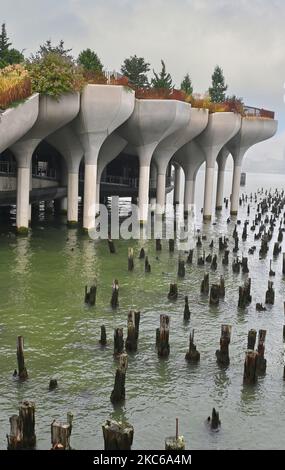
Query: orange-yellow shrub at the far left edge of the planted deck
x=15, y=85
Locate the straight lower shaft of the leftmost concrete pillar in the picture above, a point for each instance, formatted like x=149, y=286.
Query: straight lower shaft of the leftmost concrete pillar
x=23, y=193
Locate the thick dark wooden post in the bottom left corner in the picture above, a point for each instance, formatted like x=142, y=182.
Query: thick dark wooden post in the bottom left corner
x=22, y=428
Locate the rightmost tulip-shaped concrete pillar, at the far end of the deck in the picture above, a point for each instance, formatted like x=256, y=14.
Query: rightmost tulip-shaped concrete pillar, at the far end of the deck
x=252, y=131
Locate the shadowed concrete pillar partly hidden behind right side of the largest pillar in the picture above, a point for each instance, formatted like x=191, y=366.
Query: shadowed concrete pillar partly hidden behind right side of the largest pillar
x=113, y=145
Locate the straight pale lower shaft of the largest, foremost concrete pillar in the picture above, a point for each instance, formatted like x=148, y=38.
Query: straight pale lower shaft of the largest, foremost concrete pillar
x=89, y=209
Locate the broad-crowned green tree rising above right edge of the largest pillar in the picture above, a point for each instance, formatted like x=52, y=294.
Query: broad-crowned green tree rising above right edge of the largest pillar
x=135, y=69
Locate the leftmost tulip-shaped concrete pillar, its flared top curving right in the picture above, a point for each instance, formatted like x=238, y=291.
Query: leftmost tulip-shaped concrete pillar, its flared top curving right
x=52, y=115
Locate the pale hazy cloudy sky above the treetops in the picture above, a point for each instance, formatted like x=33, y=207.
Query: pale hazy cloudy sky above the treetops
x=245, y=37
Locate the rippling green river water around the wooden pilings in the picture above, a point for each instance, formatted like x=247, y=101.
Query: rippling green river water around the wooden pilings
x=42, y=279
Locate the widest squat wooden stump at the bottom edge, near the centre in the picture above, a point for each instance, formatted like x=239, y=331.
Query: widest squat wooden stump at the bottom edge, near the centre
x=117, y=435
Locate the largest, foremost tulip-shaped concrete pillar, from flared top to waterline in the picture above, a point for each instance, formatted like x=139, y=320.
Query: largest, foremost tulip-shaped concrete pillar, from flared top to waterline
x=103, y=109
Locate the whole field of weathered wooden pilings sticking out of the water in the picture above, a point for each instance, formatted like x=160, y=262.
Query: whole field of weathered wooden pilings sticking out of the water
x=119, y=435
